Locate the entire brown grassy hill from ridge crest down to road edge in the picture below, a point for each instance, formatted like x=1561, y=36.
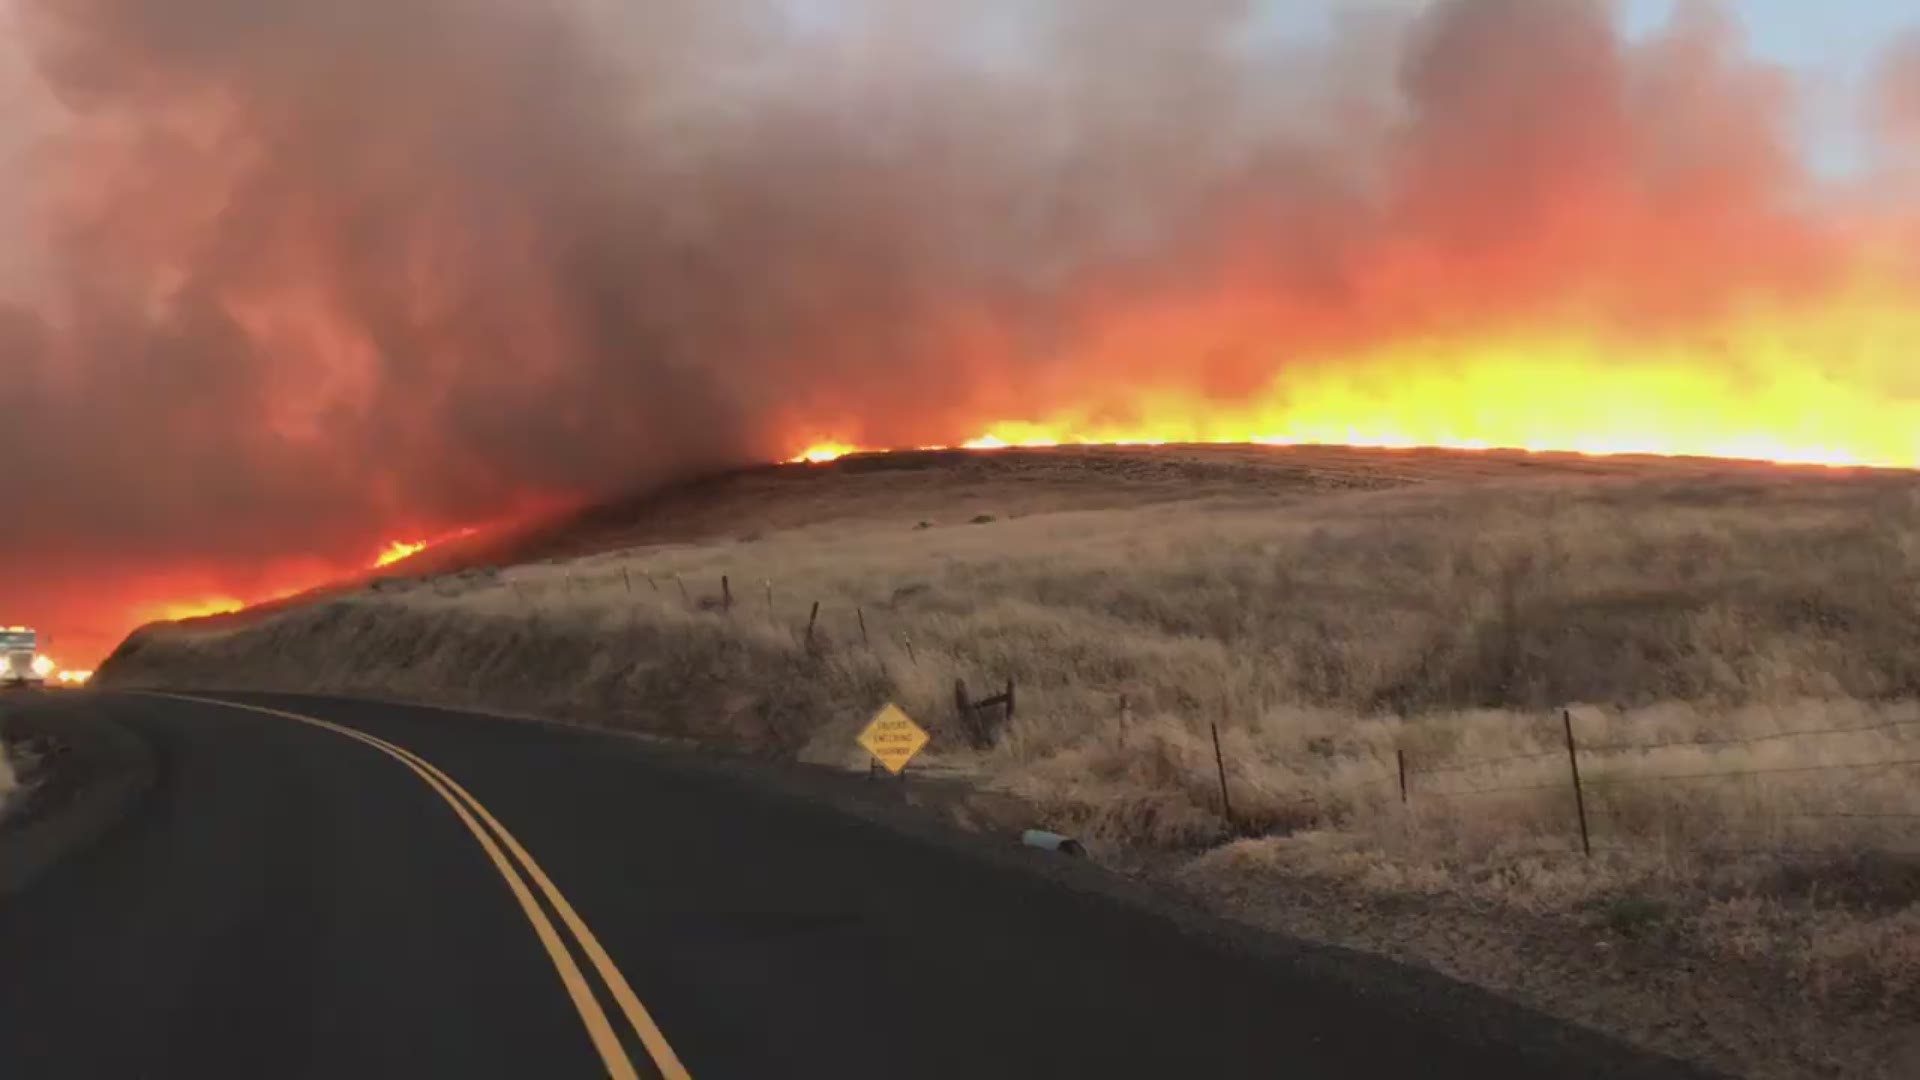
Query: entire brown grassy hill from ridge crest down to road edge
x=1739, y=649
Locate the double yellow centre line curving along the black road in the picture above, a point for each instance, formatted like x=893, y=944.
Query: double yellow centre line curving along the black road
x=492, y=835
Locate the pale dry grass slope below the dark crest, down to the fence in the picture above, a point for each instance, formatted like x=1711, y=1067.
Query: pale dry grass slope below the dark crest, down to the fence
x=1449, y=622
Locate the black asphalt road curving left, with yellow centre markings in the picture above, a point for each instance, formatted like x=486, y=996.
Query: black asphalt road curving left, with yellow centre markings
x=291, y=900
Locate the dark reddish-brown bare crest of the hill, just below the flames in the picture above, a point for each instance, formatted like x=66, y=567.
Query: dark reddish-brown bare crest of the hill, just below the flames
x=951, y=485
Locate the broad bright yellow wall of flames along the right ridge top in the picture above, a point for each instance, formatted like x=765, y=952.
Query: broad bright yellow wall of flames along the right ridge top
x=1825, y=385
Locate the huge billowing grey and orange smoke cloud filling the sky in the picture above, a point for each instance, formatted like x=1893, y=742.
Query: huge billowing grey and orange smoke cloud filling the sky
x=304, y=276
